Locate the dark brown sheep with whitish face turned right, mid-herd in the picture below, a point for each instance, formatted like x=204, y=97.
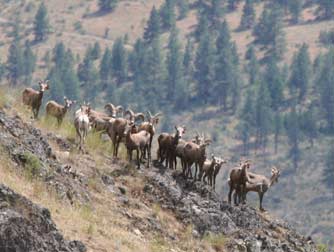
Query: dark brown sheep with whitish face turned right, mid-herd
x=167, y=145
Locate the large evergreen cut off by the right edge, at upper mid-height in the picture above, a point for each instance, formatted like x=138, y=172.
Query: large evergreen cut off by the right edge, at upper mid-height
x=326, y=88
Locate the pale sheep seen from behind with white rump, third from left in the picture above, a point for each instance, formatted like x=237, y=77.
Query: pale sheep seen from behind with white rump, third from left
x=81, y=124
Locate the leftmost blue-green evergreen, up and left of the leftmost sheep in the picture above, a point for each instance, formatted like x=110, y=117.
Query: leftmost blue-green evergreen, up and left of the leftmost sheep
x=14, y=63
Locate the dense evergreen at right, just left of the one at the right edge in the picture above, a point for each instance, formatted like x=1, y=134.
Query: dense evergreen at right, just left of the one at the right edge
x=301, y=72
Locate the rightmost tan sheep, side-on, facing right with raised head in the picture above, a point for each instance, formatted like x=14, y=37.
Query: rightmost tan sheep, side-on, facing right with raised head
x=260, y=184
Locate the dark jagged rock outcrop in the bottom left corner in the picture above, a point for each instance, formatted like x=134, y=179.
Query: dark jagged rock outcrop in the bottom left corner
x=27, y=227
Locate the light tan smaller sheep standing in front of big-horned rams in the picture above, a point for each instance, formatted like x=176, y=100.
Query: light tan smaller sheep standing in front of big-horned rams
x=137, y=141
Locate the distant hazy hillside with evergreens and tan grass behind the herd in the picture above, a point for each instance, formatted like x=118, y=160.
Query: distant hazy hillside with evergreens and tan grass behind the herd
x=257, y=77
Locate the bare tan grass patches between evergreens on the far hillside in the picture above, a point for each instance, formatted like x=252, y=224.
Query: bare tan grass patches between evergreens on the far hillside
x=292, y=197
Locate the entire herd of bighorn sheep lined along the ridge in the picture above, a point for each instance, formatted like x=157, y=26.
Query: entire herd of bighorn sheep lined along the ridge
x=122, y=126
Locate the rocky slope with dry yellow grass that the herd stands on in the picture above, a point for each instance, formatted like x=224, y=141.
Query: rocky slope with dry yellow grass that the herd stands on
x=110, y=206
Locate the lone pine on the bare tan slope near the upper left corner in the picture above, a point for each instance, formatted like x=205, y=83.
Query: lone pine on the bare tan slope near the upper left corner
x=41, y=23
